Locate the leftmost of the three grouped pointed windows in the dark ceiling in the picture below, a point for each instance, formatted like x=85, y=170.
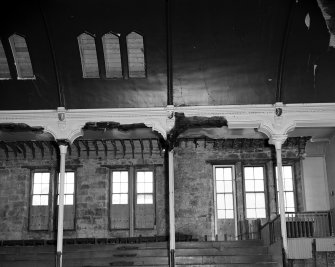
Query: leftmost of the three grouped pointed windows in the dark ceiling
x=88, y=55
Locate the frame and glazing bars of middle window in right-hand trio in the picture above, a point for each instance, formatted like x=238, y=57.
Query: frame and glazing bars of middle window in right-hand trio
x=264, y=192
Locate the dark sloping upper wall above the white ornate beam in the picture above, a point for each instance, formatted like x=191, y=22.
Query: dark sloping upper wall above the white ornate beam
x=224, y=52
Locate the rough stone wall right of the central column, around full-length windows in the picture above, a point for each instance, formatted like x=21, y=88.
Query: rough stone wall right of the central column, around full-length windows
x=194, y=182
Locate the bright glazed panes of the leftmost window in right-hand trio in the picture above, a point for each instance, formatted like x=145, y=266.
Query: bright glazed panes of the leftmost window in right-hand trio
x=224, y=192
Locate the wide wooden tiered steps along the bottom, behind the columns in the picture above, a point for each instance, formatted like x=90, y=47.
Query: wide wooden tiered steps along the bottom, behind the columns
x=197, y=254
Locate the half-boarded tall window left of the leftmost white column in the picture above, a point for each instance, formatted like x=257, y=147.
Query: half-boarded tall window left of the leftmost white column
x=39, y=209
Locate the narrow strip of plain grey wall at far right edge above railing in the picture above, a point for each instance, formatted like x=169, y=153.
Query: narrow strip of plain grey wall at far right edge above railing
x=330, y=164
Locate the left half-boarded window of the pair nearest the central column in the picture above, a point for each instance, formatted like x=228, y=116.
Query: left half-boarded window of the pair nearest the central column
x=119, y=216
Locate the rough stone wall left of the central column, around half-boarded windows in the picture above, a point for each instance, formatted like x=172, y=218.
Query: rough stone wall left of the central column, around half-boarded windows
x=92, y=173
